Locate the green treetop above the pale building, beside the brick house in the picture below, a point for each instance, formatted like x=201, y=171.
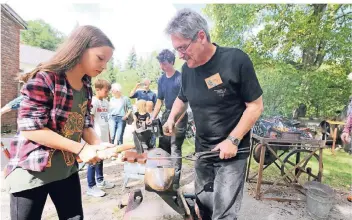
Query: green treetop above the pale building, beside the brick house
x=41, y=34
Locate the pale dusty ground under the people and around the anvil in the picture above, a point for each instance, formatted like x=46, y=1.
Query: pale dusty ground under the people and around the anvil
x=153, y=207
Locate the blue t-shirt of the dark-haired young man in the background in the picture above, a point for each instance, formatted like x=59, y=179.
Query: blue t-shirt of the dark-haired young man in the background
x=168, y=88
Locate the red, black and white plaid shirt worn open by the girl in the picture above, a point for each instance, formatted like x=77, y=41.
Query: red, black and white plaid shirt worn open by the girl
x=47, y=101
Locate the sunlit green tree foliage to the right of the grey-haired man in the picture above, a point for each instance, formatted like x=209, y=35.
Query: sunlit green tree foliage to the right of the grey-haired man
x=301, y=52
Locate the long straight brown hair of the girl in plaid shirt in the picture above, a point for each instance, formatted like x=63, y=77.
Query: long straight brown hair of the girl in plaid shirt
x=70, y=52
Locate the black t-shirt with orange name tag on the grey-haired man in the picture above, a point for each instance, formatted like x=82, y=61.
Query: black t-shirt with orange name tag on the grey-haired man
x=219, y=103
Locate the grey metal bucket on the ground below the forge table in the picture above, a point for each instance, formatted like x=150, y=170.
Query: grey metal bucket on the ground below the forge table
x=320, y=199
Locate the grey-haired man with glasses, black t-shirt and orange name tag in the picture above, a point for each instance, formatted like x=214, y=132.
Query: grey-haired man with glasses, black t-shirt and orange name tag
x=223, y=91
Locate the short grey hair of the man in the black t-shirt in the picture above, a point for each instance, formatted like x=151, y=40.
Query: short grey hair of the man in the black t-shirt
x=187, y=23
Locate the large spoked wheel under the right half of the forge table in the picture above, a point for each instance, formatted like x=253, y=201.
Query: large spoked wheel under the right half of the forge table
x=306, y=171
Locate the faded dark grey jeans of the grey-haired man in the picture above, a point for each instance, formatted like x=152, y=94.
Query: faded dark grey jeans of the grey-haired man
x=219, y=188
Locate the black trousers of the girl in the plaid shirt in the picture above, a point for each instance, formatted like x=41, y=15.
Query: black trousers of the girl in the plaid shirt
x=65, y=194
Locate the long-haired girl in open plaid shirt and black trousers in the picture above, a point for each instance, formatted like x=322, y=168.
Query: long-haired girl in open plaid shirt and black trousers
x=53, y=117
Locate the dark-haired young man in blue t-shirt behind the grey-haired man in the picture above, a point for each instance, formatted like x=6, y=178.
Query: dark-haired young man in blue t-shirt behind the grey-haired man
x=168, y=88
